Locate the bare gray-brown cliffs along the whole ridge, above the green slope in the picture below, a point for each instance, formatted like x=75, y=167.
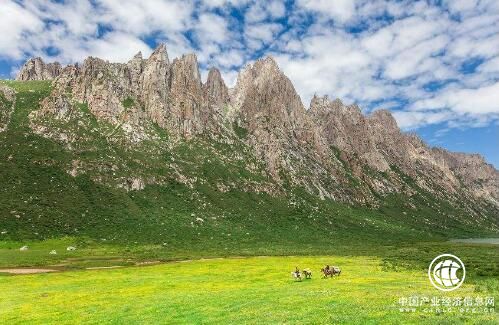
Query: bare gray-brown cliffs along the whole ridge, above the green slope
x=331, y=150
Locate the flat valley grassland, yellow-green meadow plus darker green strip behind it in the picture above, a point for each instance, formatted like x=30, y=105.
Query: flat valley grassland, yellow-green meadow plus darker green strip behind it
x=236, y=290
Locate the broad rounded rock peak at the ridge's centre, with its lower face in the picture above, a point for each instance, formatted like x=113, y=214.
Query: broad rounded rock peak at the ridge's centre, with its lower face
x=279, y=129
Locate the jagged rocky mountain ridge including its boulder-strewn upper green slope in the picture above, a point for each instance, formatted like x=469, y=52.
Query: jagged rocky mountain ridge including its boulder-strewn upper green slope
x=152, y=108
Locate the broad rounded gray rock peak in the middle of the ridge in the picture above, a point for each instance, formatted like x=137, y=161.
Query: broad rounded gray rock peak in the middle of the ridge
x=271, y=110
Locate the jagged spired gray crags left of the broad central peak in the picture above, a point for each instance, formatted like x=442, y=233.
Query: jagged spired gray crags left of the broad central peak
x=155, y=90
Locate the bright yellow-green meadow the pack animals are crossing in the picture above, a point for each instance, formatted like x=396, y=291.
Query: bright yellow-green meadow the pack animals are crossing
x=244, y=290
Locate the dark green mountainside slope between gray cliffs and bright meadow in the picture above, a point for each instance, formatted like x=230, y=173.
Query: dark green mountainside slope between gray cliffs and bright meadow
x=40, y=200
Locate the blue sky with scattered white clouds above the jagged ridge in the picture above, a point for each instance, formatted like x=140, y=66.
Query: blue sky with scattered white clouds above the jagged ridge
x=435, y=64
